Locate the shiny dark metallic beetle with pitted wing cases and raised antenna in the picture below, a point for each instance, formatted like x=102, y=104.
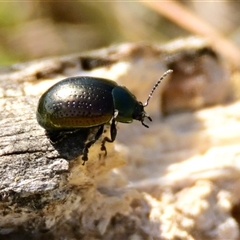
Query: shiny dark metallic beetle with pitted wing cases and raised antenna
x=90, y=102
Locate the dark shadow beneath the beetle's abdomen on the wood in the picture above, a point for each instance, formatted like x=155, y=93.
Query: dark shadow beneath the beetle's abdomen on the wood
x=70, y=144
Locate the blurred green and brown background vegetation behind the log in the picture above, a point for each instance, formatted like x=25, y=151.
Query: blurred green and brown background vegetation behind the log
x=37, y=29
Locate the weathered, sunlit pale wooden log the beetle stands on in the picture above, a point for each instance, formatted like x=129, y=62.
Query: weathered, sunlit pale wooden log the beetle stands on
x=179, y=179
